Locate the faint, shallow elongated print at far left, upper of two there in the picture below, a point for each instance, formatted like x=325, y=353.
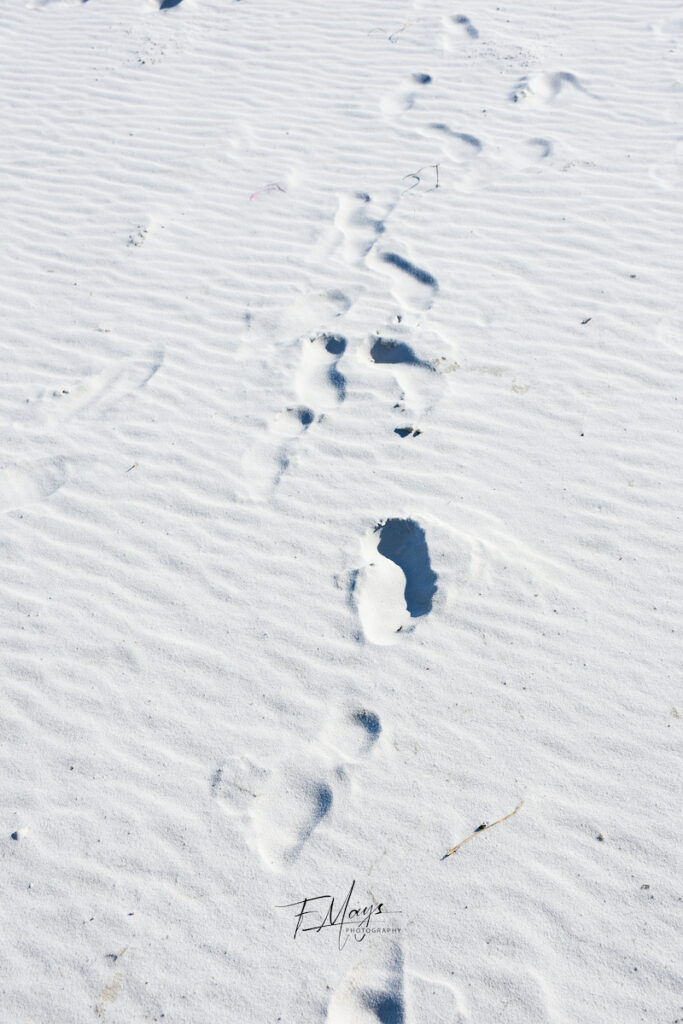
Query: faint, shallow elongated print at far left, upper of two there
x=96, y=395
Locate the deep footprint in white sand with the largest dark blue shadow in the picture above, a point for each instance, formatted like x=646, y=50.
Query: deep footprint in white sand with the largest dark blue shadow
x=398, y=584
